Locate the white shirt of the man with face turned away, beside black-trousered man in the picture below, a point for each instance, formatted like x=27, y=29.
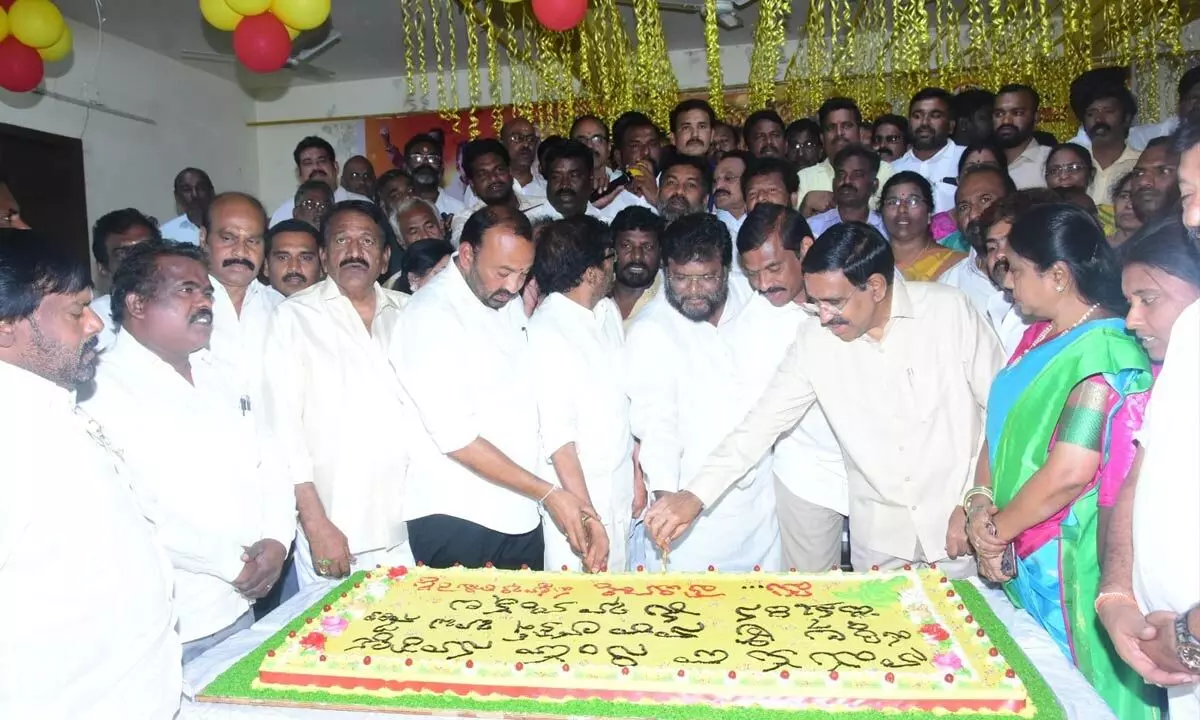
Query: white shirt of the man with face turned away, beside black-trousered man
x=581, y=399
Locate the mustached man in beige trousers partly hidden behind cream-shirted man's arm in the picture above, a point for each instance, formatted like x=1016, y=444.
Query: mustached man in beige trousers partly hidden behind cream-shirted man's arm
x=812, y=500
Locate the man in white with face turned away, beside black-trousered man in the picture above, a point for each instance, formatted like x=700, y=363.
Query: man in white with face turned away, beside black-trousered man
x=577, y=341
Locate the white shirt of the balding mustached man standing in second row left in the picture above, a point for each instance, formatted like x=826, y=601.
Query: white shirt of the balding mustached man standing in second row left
x=238, y=338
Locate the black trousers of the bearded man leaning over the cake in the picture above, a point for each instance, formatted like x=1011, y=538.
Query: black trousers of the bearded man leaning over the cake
x=442, y=542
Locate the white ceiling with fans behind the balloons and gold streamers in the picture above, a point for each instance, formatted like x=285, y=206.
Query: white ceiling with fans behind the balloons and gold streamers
x=371, y=33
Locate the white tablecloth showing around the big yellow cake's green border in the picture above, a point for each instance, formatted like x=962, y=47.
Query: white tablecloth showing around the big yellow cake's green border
x=1073, y=692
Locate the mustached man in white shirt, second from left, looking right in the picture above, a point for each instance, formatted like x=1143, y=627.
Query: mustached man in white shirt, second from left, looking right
x=215, y=488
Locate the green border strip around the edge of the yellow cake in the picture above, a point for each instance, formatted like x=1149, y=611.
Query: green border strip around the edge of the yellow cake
x=237, y=685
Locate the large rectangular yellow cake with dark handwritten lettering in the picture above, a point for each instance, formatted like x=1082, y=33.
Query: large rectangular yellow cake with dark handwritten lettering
x=835, y=641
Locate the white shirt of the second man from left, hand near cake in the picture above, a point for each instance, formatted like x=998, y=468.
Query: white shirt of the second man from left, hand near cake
x=209, y=481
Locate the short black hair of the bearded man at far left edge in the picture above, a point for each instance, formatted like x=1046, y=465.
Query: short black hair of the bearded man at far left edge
x=33, y=266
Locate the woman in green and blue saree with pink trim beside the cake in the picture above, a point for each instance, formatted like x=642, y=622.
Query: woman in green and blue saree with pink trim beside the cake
x=1060, y=442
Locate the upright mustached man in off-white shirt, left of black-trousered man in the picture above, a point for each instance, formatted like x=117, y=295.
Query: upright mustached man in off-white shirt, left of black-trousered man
x=332, y=399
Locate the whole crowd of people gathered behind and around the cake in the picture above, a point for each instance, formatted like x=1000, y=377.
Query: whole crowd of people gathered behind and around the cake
x=632, y=347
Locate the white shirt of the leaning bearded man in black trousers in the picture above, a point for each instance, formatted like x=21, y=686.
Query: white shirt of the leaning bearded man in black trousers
x=469, y=374
